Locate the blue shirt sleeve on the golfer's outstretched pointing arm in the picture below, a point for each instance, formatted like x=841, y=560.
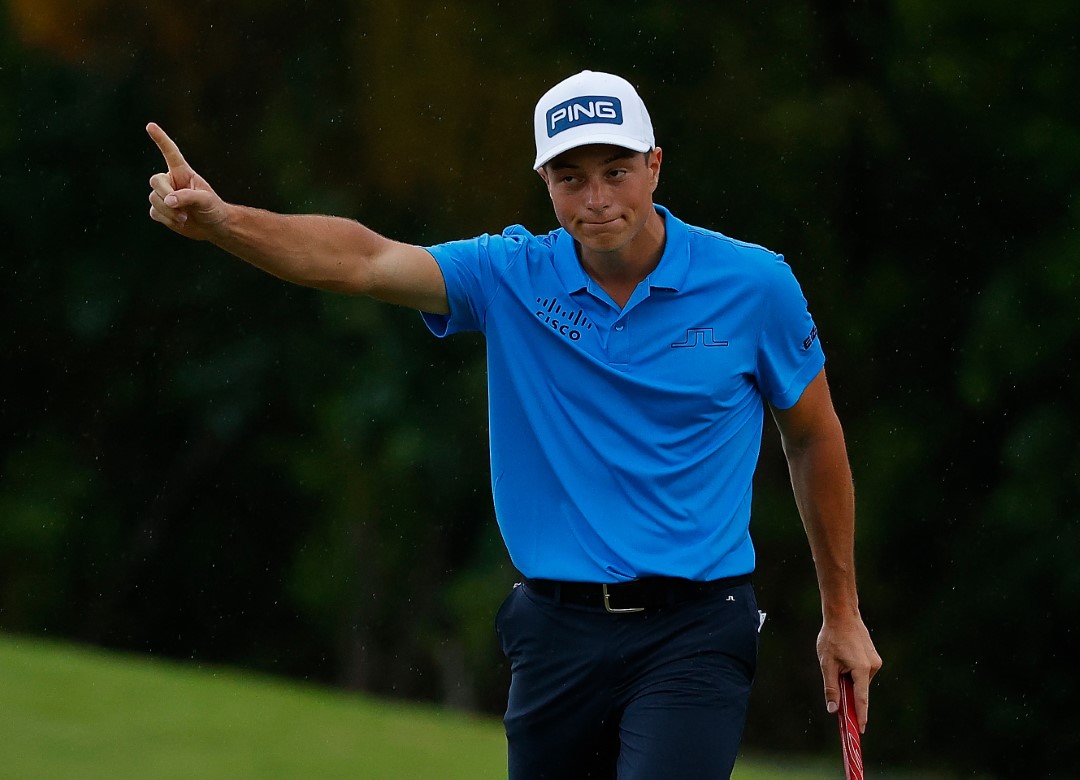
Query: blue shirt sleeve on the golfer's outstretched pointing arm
x=472, y=271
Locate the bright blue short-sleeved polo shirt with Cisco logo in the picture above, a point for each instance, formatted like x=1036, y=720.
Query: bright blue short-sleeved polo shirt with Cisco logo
x=625, y=441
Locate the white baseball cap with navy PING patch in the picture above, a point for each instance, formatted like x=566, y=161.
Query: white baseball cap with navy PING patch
x=591, y=109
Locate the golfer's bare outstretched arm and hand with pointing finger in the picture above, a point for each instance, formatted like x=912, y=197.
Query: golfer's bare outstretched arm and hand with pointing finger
x=316, y=251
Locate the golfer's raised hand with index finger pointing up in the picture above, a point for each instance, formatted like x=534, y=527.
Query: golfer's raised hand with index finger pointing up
x=181, y=199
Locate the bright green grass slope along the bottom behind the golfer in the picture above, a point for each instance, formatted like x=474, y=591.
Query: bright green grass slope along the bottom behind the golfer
x=74, y=712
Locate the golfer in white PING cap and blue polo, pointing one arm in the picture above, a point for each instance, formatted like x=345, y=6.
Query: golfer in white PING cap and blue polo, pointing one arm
x=631, y=358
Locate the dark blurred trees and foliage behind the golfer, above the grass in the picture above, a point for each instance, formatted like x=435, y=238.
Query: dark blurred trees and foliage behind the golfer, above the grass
x=200, y=462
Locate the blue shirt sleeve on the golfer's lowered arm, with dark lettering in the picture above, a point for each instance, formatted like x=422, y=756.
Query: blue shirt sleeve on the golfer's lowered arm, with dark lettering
x=789, y=354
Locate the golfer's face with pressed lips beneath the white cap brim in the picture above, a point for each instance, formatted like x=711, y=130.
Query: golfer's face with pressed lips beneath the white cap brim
x=603, y=195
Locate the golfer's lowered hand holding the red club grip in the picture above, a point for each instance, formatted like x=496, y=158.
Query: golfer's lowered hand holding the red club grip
x=846, y=647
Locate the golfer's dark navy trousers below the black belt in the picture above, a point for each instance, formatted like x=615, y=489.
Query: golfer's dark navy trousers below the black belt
x=660, y=694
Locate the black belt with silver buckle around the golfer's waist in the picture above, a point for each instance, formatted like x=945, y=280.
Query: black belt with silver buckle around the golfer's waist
x=636, y=596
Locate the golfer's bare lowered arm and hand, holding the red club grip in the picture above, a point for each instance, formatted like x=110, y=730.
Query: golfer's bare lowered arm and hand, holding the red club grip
x=821, y=478
